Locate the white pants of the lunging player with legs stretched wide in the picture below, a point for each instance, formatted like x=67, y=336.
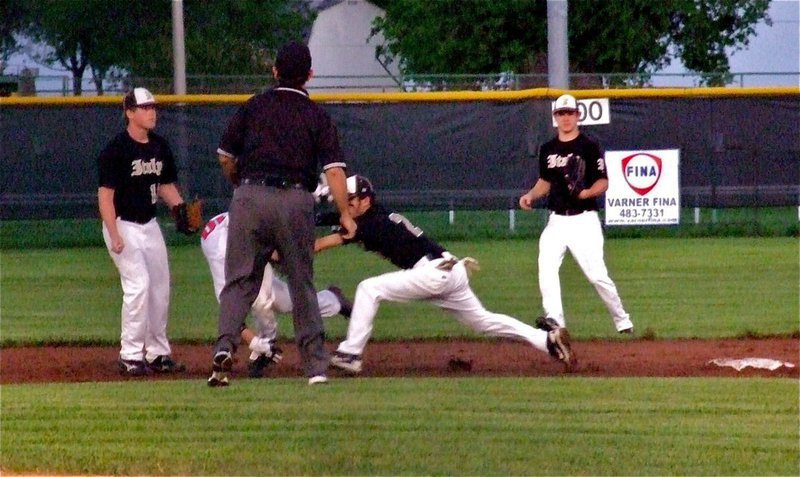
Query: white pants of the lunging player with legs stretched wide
x=448, y=290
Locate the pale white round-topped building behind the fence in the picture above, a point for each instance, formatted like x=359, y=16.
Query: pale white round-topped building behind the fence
x=343, y=59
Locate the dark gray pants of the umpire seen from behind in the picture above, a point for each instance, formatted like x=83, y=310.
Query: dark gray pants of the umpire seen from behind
x=263, y=219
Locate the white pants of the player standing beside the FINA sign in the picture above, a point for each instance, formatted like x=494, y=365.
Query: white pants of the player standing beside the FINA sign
x=583, y=236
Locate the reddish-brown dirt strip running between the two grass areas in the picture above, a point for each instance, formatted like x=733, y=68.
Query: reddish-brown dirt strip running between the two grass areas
x=635, y=357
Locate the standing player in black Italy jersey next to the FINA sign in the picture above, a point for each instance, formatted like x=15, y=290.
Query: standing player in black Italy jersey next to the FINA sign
x=573, y=223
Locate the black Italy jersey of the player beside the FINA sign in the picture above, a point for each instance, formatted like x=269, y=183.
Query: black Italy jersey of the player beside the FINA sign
x=553, y=157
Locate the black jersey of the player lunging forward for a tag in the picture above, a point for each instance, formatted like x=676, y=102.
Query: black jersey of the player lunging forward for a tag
x=394, y=237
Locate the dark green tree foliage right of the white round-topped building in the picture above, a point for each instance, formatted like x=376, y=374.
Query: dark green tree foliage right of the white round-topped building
x=605, y=36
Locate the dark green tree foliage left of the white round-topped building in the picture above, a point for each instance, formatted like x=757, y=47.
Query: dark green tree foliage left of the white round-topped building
x=227, y=37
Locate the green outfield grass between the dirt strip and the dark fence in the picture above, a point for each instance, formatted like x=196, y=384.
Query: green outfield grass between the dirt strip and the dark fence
x=705, y=288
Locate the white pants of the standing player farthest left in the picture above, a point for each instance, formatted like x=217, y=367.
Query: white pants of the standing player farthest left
x=144, y=274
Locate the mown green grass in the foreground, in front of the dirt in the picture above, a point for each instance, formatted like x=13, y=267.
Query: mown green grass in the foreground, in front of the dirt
x=469, y=426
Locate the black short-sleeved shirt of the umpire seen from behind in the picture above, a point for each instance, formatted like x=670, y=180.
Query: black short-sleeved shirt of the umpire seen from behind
x=282, y=134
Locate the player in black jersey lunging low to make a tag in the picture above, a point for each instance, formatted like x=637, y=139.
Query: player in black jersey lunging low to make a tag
x=428, y=272
